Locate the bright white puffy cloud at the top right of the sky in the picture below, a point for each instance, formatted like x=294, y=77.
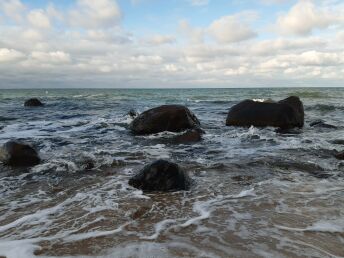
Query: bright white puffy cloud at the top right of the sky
x=303, y=18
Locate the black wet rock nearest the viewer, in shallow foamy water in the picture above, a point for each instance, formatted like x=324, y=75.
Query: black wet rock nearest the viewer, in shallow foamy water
x=161, y=175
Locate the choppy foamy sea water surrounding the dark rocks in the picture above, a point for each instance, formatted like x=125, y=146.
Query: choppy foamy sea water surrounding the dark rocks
x=256, y=193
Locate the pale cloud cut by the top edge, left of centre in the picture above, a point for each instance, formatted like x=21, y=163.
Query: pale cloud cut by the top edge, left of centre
x=92, y=14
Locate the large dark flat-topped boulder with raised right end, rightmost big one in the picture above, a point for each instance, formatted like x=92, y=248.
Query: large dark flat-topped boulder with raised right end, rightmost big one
x=287, y=113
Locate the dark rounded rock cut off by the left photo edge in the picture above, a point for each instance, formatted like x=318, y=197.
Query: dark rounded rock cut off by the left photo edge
x=18, y=154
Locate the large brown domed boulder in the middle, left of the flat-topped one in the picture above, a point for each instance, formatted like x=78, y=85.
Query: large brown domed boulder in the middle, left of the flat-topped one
x=172, y=118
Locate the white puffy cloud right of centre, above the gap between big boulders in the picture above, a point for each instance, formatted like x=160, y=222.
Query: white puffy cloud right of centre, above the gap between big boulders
x=229, y=29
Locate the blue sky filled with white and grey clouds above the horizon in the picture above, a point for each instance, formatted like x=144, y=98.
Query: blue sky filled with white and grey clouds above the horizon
x=171, y=43
